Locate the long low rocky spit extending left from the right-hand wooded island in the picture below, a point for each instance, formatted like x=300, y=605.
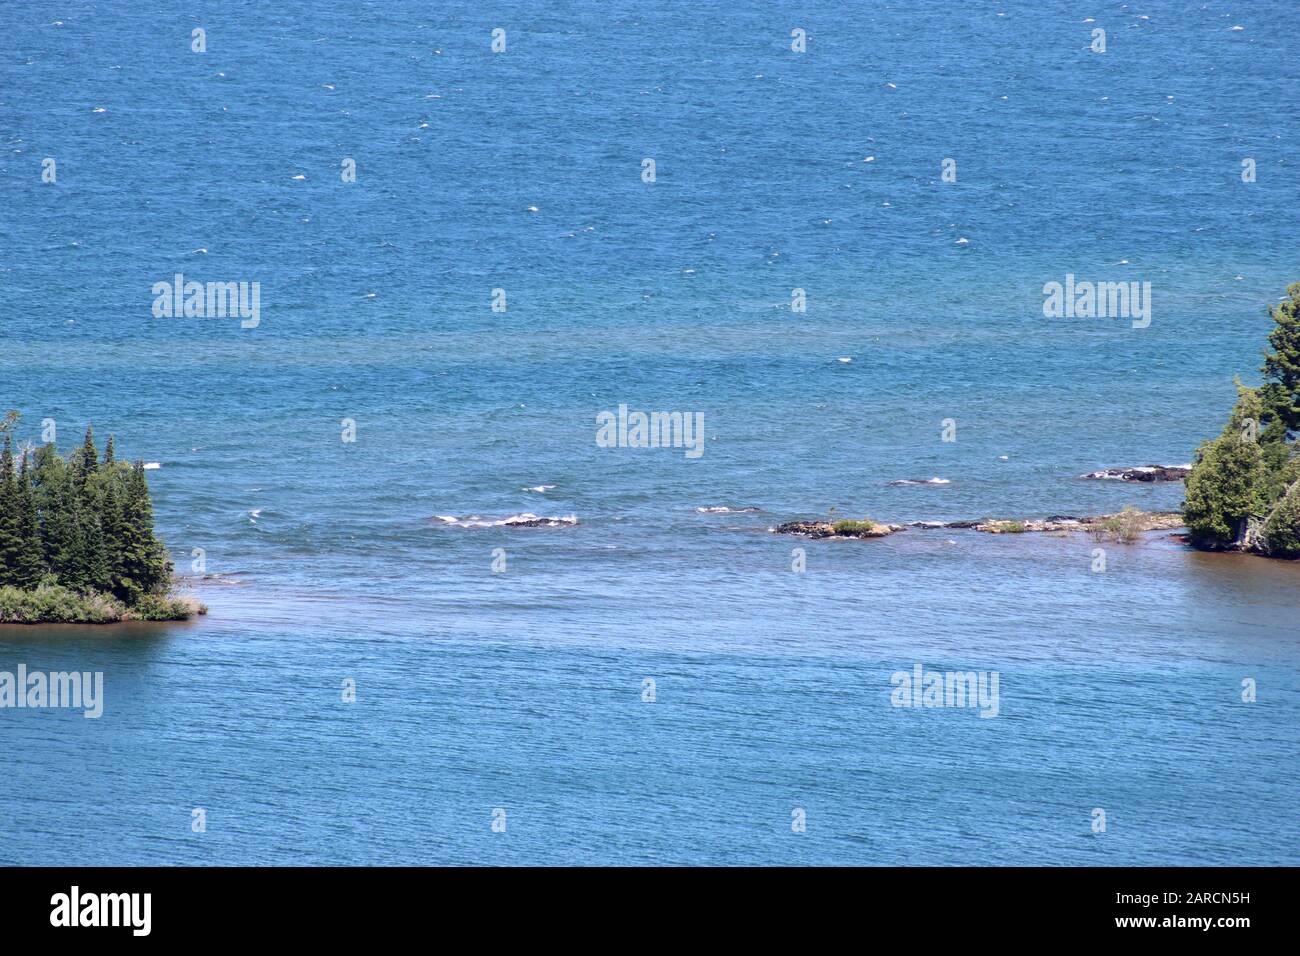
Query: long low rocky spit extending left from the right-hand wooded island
x=1121, y=525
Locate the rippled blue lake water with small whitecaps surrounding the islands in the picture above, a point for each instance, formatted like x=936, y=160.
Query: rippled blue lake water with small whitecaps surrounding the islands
x=522, y=171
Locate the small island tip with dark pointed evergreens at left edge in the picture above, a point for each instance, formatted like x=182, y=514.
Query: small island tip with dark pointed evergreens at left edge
x=77, y=542
